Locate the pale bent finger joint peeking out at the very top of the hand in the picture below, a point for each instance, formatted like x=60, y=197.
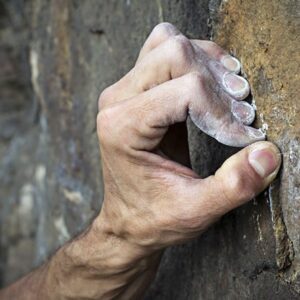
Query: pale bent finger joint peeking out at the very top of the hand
x=159, y=34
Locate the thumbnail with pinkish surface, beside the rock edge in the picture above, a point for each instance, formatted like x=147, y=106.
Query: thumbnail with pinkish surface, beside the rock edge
x=264, y=160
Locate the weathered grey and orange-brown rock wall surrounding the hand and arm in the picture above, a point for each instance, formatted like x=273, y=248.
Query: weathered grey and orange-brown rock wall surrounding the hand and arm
x=50, y=169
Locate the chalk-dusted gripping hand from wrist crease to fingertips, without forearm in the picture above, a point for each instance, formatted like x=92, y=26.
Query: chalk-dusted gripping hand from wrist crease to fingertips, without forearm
x=150, y=200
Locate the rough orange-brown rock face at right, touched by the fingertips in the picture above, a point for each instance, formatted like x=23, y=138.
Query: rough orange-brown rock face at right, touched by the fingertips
x=268, y=45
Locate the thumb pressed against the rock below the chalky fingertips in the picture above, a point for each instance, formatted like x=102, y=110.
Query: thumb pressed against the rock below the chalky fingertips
x=240, y=178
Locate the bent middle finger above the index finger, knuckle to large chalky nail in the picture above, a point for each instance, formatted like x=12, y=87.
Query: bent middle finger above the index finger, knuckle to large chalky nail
x=171, y=59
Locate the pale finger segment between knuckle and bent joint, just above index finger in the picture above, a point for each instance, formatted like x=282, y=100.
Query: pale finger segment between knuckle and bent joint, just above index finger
x=172, y=59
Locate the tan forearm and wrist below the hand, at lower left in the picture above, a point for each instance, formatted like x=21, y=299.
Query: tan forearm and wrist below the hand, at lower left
x=96, y=265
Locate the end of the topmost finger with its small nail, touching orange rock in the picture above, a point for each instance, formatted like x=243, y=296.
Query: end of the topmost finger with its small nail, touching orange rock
x=217, y=53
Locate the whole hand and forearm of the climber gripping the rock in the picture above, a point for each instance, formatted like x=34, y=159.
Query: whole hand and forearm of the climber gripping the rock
x=152, y=198
